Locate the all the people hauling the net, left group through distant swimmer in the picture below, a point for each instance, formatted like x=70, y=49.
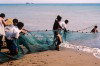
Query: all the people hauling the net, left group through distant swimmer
x=11, y=29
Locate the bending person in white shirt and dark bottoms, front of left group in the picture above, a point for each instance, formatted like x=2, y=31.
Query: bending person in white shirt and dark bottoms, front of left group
x=12, y=35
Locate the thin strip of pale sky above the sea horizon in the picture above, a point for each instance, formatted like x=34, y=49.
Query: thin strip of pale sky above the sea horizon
x=50, y=1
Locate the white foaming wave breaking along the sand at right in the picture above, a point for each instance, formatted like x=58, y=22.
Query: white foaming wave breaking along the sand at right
x=94, y=51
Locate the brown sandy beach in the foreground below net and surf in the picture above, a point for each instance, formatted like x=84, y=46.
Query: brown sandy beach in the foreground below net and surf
x=64, y=57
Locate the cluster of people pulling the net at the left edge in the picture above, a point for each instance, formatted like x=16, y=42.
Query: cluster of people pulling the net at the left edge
x=10, y=29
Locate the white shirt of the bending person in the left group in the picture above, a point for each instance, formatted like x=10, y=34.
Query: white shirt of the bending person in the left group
x=12, y=32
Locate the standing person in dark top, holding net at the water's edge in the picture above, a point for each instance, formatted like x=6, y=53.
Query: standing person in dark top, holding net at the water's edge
x=57, y=29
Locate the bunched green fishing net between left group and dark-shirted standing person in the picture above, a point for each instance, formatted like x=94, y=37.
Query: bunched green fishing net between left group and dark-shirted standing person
x=36, y=41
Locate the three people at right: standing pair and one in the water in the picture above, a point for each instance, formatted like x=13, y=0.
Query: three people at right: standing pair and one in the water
x=61, y=26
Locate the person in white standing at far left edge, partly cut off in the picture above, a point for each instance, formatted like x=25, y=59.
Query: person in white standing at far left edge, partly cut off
x=2, y=32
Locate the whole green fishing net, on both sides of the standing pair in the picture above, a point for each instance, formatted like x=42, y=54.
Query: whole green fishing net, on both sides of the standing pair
x=38, y=41
